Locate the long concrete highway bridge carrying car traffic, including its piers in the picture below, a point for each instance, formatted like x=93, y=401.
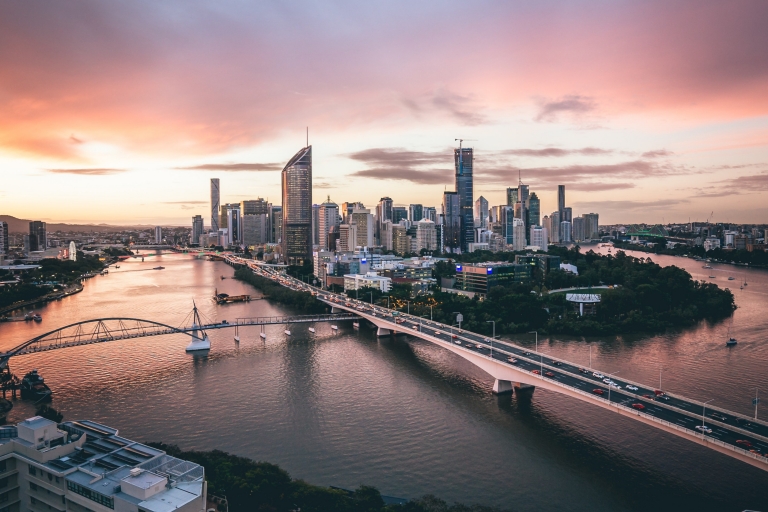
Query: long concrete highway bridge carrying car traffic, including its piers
x=519, y=369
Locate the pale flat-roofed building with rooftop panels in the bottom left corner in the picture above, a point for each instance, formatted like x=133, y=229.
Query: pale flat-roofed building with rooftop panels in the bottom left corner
x=83, y=466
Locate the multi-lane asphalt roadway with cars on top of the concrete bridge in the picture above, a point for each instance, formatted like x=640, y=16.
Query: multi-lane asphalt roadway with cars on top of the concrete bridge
x=727, y=427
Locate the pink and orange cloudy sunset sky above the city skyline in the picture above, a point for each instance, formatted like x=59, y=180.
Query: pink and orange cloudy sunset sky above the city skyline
x=120, y=112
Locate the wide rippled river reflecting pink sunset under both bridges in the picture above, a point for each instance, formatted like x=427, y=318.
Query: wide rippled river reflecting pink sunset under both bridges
x=399, y=413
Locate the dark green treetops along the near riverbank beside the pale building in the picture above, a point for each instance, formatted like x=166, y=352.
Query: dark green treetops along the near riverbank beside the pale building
x=252, y=485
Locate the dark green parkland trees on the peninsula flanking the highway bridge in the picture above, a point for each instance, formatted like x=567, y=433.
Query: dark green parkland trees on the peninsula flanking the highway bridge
x=636, y=295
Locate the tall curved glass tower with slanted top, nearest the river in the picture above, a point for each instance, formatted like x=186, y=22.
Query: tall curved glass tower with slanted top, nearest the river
x=297, y=208
